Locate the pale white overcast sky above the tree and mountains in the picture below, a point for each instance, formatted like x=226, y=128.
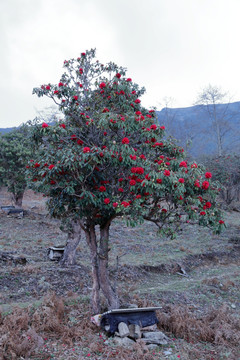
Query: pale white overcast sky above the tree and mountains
x=172, y=47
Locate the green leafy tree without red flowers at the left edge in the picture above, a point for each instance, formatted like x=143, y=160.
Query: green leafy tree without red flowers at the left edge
x=14, y=154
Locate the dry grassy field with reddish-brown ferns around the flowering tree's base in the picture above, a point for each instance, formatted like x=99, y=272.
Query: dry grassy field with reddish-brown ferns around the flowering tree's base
x=45, y=308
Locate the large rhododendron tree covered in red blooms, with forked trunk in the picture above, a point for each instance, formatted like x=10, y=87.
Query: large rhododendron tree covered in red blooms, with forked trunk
x=107, y=158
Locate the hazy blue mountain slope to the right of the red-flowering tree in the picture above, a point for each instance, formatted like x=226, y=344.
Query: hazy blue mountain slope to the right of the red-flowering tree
x=196, y=125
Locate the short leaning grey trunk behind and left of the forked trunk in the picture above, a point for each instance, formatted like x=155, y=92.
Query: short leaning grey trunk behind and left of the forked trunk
x=74, y=237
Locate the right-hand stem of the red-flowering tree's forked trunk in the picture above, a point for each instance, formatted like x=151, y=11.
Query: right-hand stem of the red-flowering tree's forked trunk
x=108, y=291
